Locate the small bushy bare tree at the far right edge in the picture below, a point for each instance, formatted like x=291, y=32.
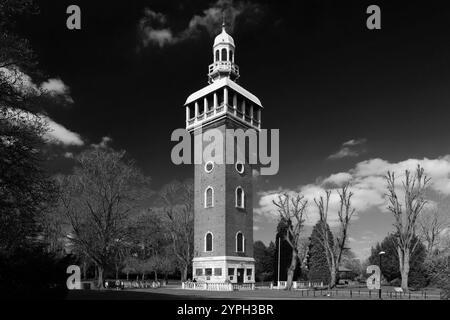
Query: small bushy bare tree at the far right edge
x=433, y=221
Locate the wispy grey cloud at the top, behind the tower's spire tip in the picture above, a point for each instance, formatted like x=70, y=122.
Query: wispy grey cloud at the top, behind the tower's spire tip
x=153, y=27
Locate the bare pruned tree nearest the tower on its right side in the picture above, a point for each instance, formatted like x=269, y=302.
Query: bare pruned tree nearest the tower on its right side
x=292, y=210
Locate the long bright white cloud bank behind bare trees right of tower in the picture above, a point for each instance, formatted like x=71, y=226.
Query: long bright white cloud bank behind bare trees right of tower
x=367, y=183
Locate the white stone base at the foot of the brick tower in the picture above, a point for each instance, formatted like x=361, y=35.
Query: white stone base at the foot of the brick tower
x=219, y=269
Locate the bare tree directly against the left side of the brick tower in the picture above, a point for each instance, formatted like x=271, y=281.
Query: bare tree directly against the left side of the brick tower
x=178, y=218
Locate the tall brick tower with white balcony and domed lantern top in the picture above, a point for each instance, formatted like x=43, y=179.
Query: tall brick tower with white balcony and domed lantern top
x=223, y=228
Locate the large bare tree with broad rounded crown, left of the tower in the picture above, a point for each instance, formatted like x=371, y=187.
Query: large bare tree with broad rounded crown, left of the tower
x=98, y=201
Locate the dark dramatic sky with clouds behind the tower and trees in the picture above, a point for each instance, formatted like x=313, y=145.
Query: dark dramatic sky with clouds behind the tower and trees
x=350, y=103
